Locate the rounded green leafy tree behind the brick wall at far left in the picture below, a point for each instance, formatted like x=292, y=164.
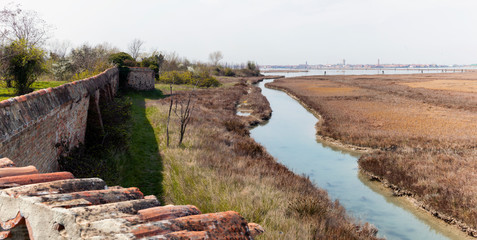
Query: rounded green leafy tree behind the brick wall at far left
x=26, y=63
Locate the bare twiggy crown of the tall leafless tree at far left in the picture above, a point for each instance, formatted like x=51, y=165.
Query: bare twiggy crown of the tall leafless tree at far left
x=16, y=24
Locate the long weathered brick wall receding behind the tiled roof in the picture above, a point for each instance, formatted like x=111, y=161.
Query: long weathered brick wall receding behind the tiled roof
x=33, y=125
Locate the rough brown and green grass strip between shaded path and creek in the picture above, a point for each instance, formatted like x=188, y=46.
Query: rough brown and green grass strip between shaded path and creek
x=221, y=168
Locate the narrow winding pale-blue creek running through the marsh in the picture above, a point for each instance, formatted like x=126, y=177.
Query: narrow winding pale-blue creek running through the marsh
x=290, y=137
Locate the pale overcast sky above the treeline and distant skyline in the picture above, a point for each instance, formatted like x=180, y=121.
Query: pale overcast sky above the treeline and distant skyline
x=275, y=31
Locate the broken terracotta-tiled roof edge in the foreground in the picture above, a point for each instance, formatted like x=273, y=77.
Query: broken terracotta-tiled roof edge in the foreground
x=59, y=206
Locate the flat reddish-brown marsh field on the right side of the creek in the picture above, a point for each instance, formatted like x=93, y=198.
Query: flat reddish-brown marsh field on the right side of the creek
x=423, y=127
